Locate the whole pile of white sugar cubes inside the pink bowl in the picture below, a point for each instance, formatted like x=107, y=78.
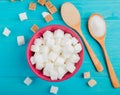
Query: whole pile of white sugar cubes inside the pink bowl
x=55, y=53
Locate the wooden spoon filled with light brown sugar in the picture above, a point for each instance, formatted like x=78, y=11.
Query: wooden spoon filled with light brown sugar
x=71, y=17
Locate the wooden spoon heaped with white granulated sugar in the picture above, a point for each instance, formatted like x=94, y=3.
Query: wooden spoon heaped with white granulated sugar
x=95, y=24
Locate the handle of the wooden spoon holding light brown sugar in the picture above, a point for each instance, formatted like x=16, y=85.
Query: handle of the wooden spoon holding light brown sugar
x=92, y=55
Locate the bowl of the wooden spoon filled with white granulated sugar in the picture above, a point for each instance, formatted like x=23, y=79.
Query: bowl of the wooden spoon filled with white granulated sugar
x=93, y=31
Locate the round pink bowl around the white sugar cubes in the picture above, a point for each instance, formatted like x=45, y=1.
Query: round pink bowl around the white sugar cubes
x=39, y=34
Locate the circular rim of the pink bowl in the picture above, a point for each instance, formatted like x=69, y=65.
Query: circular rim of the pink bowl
x=34, y=69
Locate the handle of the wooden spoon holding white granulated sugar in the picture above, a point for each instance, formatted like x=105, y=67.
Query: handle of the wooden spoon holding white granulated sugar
x=111, y=71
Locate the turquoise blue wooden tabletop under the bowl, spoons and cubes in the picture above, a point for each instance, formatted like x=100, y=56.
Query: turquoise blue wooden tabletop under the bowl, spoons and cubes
x=13, y=64
